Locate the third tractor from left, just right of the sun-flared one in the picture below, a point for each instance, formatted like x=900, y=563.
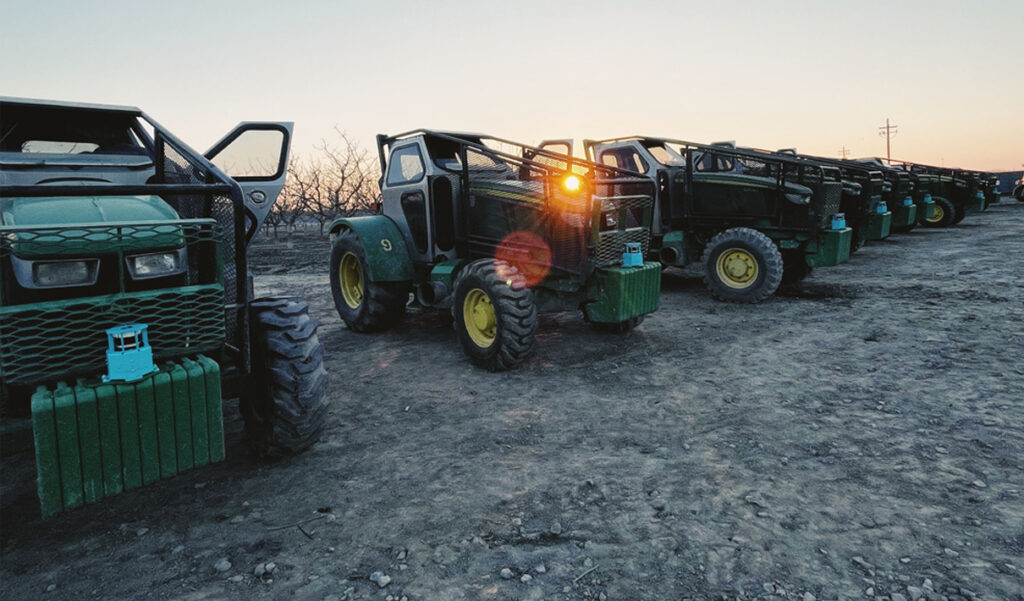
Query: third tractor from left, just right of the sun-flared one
x=754, y=220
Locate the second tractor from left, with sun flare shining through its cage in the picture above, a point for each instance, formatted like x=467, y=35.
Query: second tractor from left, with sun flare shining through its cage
x=497, y=232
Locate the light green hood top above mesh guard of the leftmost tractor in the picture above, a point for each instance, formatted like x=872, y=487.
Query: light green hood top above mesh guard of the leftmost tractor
x=59, y=211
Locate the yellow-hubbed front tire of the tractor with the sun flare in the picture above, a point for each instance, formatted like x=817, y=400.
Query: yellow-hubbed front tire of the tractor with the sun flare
x=495, y=315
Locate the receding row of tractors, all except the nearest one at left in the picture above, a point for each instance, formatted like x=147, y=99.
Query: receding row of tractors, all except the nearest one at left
x=496, y=232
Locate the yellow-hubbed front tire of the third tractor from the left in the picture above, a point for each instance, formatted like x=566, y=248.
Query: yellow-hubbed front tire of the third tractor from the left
x=737, y=248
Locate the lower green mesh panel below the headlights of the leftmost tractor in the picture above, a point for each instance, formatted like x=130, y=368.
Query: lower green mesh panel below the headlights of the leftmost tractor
x=46, y=341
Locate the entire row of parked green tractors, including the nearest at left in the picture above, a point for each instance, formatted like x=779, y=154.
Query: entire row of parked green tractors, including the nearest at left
x=127, y=311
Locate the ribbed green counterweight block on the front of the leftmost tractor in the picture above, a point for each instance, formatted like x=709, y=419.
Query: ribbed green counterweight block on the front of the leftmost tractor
x=95, y=440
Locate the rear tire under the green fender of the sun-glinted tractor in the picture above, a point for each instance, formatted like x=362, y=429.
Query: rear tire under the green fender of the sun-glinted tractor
x=375, y=306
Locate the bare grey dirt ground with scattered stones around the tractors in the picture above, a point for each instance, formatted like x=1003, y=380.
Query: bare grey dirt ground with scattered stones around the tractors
x=862, y=437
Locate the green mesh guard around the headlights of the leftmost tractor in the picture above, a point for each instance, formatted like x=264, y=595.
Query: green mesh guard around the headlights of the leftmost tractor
x=44, y=338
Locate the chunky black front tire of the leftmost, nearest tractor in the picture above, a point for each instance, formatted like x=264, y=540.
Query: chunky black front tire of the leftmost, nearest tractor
x=286, y=408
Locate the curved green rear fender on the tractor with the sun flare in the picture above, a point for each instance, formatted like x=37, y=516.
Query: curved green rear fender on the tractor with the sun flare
x=388, y=257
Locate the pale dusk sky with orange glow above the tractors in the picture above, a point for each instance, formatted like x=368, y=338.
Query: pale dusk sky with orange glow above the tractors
x=819, y=76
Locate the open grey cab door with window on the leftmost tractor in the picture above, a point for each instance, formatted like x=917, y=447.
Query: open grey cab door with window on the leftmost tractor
x=255, y=156
